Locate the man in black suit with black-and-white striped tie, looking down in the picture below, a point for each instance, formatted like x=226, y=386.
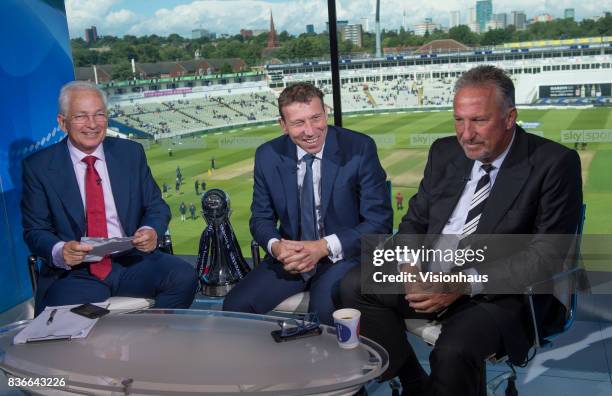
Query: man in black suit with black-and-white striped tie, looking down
x=493, y=178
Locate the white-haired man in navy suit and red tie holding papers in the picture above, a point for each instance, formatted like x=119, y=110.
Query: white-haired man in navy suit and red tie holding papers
x=97, y=186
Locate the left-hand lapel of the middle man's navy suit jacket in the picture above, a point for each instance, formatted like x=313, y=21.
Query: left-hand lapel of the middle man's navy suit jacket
x=287, y=171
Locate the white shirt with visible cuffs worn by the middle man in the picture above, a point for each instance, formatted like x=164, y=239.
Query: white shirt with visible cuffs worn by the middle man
x=333, y=243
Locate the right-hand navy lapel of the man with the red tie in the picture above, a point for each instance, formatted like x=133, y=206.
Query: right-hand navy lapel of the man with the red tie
x=120, y=184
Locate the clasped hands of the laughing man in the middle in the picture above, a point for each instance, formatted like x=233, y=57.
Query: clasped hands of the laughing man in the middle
x=299, y=256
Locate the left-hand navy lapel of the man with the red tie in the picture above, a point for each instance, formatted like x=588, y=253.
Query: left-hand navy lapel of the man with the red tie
x=63, y=180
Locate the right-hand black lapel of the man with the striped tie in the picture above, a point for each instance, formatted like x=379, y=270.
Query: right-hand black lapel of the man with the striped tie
x=512, y=175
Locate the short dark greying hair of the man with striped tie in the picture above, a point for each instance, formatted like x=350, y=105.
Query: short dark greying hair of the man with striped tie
x=485, y=75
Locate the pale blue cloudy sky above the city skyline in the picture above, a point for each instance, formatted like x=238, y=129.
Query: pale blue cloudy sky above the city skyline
x=163, y=17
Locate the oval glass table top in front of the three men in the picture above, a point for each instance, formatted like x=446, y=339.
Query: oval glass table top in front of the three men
x=192, y=351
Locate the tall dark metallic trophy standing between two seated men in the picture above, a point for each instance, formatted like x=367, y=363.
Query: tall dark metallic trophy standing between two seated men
x=220, y=262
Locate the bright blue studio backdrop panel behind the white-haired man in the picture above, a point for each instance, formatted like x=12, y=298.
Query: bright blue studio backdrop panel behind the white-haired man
x=36, y=61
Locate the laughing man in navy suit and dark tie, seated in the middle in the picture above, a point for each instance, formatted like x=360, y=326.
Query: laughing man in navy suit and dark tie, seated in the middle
x=317, y=190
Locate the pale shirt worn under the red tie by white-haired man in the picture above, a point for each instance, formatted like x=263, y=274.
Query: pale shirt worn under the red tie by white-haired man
x=113, y=225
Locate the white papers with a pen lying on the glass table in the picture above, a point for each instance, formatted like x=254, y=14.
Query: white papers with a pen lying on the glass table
x=55, y=323
